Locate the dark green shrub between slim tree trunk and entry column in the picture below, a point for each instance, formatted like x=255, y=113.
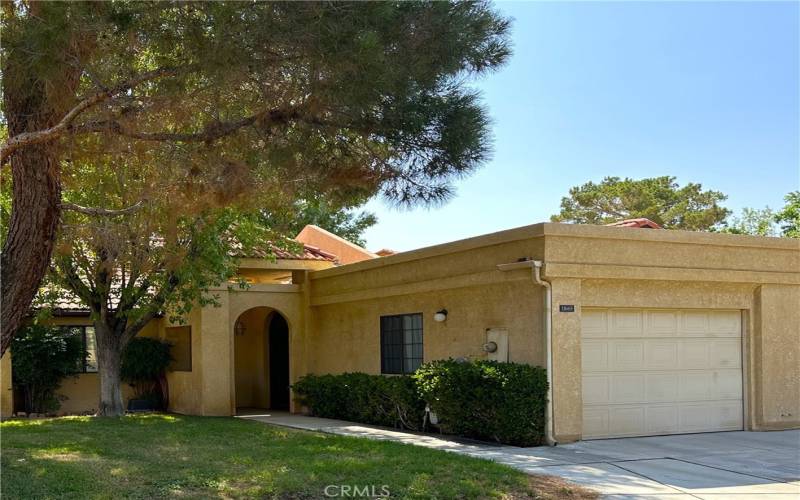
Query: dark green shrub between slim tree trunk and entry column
x=144, y=363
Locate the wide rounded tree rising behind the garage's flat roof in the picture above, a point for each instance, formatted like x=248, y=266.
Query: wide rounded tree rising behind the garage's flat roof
x=659, y=199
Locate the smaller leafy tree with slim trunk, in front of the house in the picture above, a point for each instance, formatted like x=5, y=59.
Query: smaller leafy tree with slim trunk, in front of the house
x=161, y=258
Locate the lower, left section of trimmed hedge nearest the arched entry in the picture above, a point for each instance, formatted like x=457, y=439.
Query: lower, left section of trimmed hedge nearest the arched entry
x=358, y=397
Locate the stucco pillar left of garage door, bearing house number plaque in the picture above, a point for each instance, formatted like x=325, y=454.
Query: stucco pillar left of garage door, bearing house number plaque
x=567, y=402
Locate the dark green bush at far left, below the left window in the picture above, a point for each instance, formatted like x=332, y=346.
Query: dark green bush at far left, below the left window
x=41, y=357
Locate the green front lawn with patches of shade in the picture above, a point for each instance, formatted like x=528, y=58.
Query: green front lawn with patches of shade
x=170, y=456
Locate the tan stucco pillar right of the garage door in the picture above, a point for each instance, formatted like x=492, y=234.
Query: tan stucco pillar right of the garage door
x=775, y=349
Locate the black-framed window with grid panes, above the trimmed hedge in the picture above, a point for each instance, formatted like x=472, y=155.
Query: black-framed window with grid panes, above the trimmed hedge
x=401, y=343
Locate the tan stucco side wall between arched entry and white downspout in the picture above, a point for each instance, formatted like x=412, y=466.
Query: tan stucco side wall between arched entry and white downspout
x=461, y=277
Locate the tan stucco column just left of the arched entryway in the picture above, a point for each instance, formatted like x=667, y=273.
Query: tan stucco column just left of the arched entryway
x=216, y=343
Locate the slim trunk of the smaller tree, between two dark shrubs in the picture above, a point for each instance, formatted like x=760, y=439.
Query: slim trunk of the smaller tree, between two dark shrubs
x=109, y=362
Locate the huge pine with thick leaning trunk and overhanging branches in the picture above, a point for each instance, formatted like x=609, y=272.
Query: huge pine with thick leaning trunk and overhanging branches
x=337, y=98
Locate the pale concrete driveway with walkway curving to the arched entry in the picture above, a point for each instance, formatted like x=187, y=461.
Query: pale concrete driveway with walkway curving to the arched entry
x=722, y=465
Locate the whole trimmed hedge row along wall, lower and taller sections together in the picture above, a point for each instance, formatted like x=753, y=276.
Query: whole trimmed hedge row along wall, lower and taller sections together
x=487, y=400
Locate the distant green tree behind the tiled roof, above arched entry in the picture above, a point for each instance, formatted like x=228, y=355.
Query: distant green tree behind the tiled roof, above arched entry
x=342, y=220
